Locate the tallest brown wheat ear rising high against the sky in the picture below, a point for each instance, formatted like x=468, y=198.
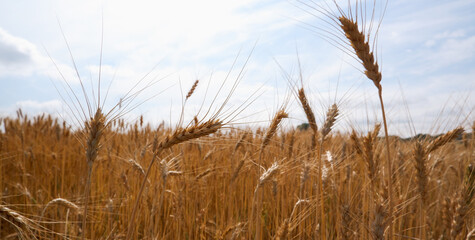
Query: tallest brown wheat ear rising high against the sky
x=362, y=50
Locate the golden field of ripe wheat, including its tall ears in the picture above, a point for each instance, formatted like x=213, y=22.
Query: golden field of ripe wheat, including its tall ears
x=113, y=179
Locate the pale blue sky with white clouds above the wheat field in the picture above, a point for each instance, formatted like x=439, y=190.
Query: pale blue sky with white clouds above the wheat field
x=268, y=48
